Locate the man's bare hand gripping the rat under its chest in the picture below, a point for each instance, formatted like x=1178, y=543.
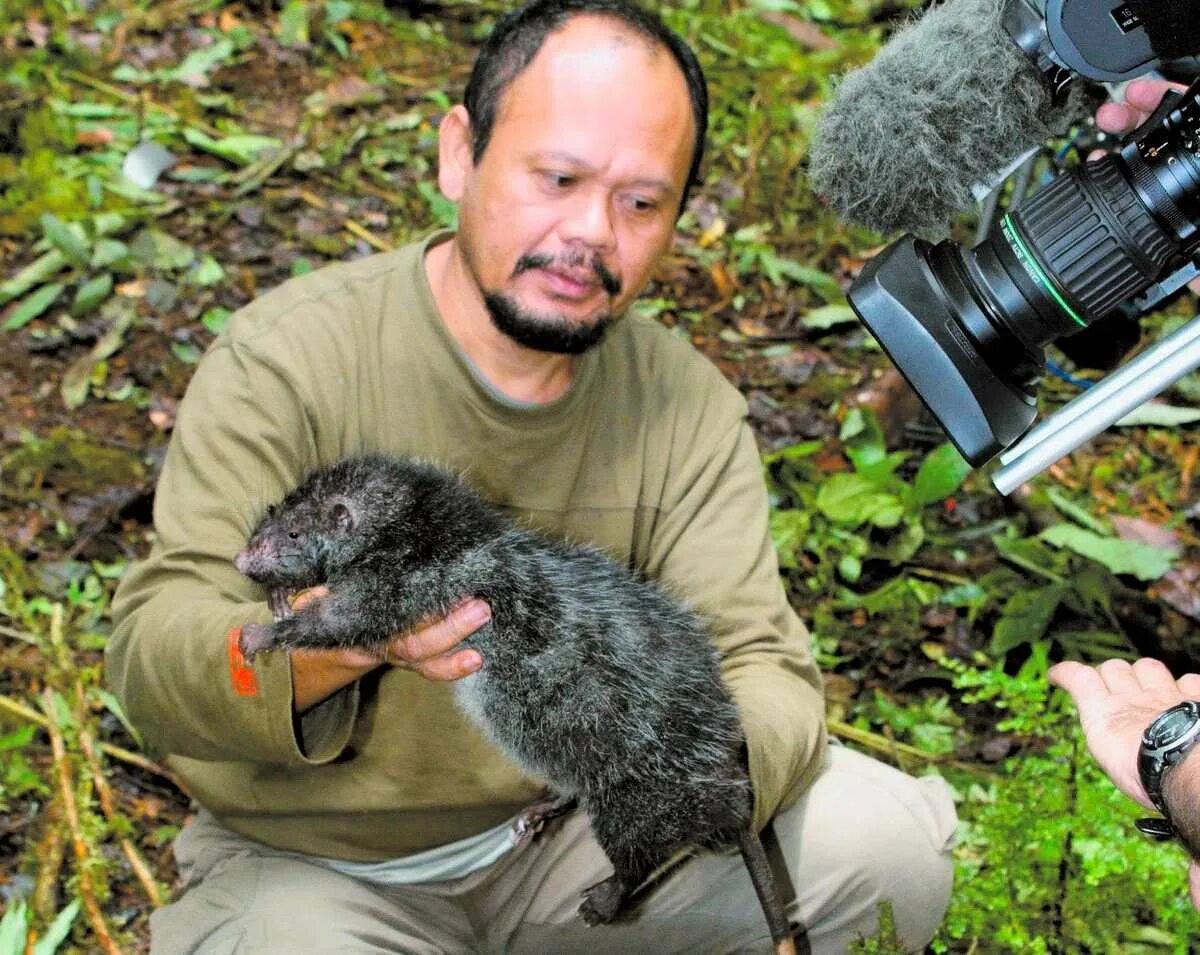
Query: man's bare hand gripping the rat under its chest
x=429, y=650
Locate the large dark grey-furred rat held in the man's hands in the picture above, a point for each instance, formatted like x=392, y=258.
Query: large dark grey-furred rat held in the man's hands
x=592, y=680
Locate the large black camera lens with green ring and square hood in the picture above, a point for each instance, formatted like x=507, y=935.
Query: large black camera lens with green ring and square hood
x=1093, y=241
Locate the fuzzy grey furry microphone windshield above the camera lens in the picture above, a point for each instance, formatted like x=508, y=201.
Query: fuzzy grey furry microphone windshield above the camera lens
x=949, y=103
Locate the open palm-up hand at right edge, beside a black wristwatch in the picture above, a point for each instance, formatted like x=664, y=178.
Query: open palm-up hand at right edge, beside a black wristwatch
x=1117, y=702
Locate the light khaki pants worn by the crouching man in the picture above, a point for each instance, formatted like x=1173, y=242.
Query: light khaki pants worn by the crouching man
x=863, y=833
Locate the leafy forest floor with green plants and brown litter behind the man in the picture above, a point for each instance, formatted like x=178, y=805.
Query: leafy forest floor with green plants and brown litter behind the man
x=307, y=136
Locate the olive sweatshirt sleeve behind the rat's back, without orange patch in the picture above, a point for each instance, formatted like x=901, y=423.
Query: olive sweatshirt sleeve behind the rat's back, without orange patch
x=712, y=544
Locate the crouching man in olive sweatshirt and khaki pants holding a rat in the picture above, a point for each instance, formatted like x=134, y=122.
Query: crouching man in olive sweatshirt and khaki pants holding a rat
x=349, y=807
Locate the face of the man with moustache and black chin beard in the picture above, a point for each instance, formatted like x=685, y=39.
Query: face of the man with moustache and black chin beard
x=575, y=197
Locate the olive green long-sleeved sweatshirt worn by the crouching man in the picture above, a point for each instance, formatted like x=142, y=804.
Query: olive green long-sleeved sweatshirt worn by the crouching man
x=647, y=455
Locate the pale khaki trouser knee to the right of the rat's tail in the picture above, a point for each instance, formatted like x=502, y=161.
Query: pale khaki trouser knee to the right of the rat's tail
x=866, y=834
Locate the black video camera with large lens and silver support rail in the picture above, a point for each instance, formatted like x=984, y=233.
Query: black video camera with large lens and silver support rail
x=968, y=327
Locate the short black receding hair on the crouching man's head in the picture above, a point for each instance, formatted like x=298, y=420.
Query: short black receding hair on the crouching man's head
x=520, y=34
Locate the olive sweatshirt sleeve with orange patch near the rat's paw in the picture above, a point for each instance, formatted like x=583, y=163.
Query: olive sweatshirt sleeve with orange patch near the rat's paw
x=243, y=436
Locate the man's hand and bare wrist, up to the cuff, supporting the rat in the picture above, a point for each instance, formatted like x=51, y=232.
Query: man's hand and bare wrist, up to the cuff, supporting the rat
x=429, y=651
